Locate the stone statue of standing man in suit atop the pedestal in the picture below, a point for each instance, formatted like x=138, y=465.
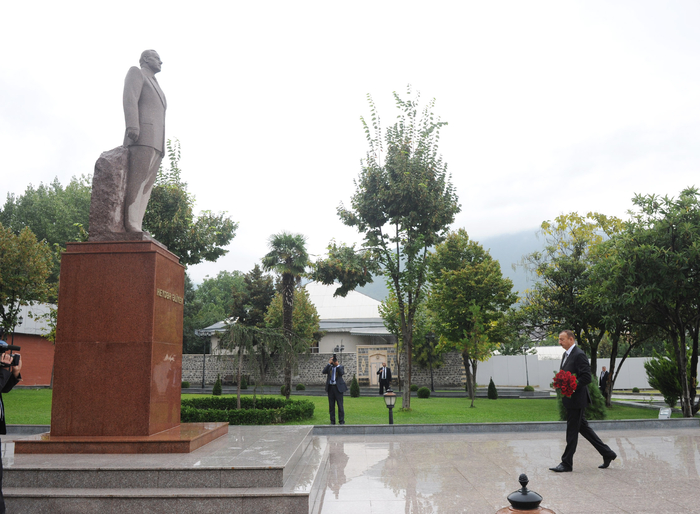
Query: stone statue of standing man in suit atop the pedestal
x=144, y=111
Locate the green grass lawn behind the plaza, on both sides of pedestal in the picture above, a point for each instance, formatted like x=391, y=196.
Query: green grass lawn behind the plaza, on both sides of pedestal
x=33, y=407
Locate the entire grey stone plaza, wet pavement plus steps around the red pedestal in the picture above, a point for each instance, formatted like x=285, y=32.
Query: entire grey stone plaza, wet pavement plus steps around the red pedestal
x=377, y=469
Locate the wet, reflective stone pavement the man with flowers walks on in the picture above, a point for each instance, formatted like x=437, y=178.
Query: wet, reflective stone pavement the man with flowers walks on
x=656, y=471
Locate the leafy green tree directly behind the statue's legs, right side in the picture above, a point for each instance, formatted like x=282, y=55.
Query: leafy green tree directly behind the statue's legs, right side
x=170, y=218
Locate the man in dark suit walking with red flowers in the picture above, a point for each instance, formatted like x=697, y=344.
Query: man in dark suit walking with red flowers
x=576, y=362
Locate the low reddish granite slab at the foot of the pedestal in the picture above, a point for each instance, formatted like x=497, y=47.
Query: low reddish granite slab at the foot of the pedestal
x=184, y=438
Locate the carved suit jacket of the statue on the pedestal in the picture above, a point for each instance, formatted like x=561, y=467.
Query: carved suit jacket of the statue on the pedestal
x=144, y=107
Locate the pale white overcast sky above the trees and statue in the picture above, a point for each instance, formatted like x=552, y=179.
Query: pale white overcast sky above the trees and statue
x=552, y=107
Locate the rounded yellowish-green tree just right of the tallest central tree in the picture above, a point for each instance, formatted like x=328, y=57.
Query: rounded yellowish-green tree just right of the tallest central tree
x=469, y=298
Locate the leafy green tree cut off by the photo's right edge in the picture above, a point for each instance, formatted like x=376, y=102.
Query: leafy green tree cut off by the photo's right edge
x=652, y=266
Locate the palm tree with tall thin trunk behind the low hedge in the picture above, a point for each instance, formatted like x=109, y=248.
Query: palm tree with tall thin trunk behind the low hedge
x=288, y=257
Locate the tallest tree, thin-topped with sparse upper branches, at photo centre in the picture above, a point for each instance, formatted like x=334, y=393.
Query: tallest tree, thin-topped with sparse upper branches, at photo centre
x=403, y=205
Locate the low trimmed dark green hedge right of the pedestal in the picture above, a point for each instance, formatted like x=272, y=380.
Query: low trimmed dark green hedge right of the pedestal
x=265, y=411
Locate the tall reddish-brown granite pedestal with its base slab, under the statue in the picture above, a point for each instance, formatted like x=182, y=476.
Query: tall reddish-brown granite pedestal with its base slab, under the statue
x=118, y=359
